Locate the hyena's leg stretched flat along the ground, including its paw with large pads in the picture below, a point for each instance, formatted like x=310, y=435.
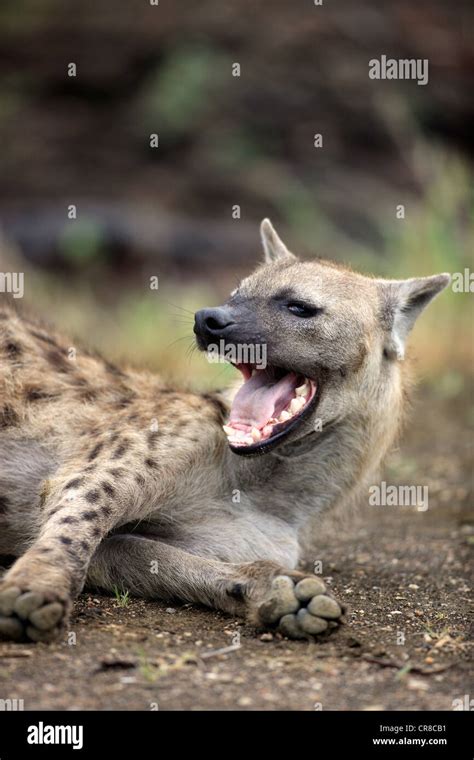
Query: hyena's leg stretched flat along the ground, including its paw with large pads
x=263, y=592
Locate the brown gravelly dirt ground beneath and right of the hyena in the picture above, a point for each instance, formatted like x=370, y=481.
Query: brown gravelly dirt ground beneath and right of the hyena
x=404, y=575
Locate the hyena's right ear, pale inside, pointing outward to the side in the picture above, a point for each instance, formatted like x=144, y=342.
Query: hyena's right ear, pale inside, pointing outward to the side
x=402, y=301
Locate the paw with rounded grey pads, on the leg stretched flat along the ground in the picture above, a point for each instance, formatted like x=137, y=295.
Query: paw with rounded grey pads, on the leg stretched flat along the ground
x=299, y=610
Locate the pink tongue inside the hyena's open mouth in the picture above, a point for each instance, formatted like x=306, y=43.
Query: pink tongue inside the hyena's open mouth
x=260, y=399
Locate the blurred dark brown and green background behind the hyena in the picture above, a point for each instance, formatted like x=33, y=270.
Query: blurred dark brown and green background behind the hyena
x=226, y=141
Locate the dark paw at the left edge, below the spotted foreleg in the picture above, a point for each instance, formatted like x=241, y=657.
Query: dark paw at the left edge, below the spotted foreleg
x=30, y=615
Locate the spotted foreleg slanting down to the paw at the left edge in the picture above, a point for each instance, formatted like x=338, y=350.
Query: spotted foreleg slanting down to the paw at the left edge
x=37, y=592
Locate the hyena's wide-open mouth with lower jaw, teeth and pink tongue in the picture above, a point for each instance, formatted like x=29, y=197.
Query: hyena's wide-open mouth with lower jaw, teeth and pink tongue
x=270, y=405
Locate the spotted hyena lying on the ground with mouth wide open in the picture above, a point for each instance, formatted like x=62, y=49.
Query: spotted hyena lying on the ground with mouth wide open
x=110, y=477
